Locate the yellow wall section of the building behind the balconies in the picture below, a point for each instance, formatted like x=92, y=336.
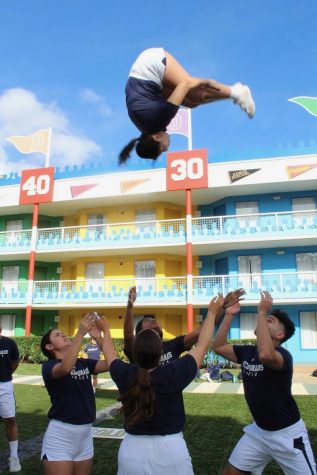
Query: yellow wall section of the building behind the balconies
x=173, y=322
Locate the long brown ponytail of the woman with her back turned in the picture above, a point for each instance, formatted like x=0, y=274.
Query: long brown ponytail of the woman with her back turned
x=138, y=401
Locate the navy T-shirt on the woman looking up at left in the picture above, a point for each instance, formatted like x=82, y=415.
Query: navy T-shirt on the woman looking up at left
x=72, y=396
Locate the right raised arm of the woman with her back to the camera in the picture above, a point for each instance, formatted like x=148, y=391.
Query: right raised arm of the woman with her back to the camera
x=205, y=336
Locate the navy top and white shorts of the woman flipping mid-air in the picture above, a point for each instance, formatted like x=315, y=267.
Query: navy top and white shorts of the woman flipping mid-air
x=147, y=108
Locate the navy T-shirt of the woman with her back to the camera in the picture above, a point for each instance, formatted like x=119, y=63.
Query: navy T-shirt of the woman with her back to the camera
x=168, y=383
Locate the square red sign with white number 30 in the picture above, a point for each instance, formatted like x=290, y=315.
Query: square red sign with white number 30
x=187, y=170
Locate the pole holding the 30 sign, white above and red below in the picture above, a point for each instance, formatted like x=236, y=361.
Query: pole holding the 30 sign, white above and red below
x=189, y=245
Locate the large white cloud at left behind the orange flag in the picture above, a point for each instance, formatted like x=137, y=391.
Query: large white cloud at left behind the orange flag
x=21, y=113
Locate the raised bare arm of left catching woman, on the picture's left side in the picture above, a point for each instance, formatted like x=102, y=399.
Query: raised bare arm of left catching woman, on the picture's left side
x=69, y=360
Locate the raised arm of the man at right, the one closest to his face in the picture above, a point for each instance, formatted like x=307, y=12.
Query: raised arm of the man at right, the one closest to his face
x=266, y=349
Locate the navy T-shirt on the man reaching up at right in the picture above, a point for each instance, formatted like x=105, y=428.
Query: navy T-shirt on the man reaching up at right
x=268, y=391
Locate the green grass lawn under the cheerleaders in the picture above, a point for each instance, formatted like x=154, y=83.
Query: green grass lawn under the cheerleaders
x=214, y=425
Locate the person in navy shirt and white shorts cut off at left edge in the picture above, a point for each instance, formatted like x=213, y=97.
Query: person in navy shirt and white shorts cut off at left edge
x=9, y=361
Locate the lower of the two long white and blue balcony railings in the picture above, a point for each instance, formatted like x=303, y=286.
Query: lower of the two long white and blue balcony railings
x=289, y=286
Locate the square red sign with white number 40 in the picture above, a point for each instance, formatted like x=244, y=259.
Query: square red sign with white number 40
x=37, y=186
